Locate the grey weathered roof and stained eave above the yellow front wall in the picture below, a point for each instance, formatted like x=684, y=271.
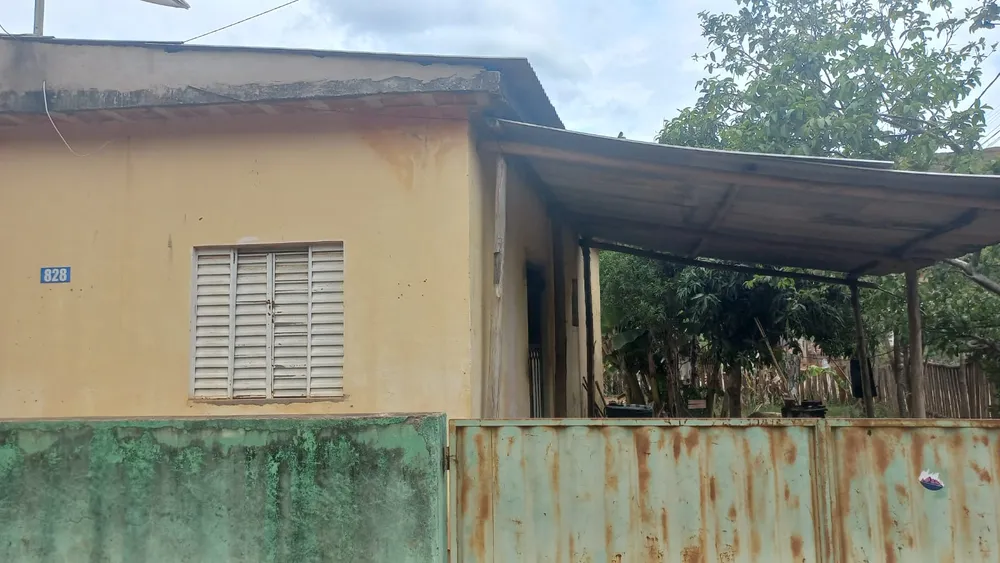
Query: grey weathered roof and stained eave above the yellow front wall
x=76, y=76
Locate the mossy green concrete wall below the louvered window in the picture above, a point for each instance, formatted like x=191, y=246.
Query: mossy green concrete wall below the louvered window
x=215, y=490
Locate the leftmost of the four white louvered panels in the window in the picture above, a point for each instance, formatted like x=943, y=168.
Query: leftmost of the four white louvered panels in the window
x=212, y=334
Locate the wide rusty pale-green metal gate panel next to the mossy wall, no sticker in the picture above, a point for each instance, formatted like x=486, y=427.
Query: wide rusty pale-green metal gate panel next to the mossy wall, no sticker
x=623, y=491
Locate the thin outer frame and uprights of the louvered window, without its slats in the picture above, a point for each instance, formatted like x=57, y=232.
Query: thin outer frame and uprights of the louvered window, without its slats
x=269, y=249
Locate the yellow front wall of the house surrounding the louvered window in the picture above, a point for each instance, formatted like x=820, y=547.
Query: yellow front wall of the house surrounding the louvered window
x=116, y=342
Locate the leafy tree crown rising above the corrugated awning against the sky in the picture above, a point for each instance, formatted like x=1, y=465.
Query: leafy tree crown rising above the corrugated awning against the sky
x=883, y=79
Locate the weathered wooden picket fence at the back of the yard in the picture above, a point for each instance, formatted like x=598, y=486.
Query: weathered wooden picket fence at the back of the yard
x=943, y=389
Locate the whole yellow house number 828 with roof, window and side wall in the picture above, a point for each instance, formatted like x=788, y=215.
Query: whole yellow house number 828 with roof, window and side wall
x=222, y=231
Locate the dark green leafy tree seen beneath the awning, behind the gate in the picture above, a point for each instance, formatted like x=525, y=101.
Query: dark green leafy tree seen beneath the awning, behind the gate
x=658, y=315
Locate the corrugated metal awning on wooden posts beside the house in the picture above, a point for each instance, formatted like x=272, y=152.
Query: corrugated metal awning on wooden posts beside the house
x=838, y=215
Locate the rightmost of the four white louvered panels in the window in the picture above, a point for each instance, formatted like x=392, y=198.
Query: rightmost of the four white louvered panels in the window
x=326, y=321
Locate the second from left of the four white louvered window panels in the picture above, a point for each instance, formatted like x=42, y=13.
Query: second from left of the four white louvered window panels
x=251, y=326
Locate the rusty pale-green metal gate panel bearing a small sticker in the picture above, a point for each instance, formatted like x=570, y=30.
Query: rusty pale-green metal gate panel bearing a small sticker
x=884, y=514
